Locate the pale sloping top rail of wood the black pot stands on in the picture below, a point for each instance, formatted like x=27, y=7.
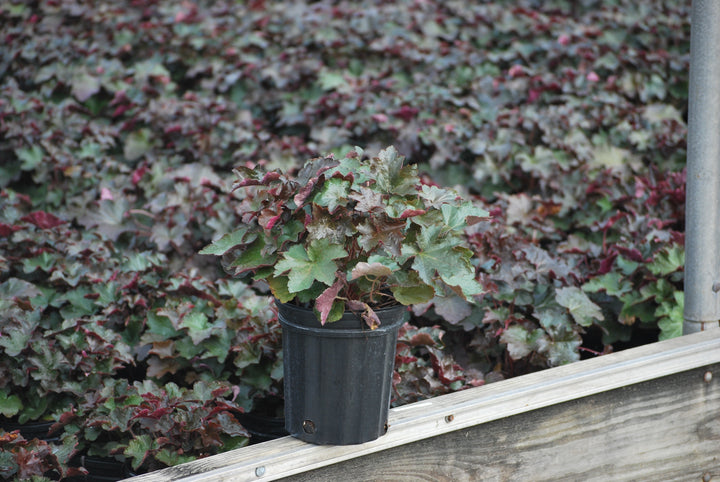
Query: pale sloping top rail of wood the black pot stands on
x=459, y=411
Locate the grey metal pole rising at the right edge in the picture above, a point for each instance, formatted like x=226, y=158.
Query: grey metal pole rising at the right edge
x=702, y=216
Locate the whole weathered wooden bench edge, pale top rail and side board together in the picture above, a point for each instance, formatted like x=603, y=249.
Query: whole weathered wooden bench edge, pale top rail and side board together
x=648, y=413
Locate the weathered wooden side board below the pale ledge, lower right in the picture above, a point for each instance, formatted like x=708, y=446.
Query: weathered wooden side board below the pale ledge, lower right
x=664, y=429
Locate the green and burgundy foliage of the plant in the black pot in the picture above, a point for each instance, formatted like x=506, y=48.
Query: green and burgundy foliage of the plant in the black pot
x=352, y=234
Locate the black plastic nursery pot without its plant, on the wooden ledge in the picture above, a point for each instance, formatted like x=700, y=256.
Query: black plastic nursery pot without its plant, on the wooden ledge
x=338, y=377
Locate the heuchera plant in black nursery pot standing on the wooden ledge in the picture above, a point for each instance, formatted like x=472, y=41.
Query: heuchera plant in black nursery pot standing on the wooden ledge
x=344, y=246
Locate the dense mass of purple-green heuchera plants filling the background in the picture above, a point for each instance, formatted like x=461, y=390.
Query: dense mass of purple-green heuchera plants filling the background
x=121, y=123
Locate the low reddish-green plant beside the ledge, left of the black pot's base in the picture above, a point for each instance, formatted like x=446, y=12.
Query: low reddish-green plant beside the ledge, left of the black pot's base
x=155, y=426
